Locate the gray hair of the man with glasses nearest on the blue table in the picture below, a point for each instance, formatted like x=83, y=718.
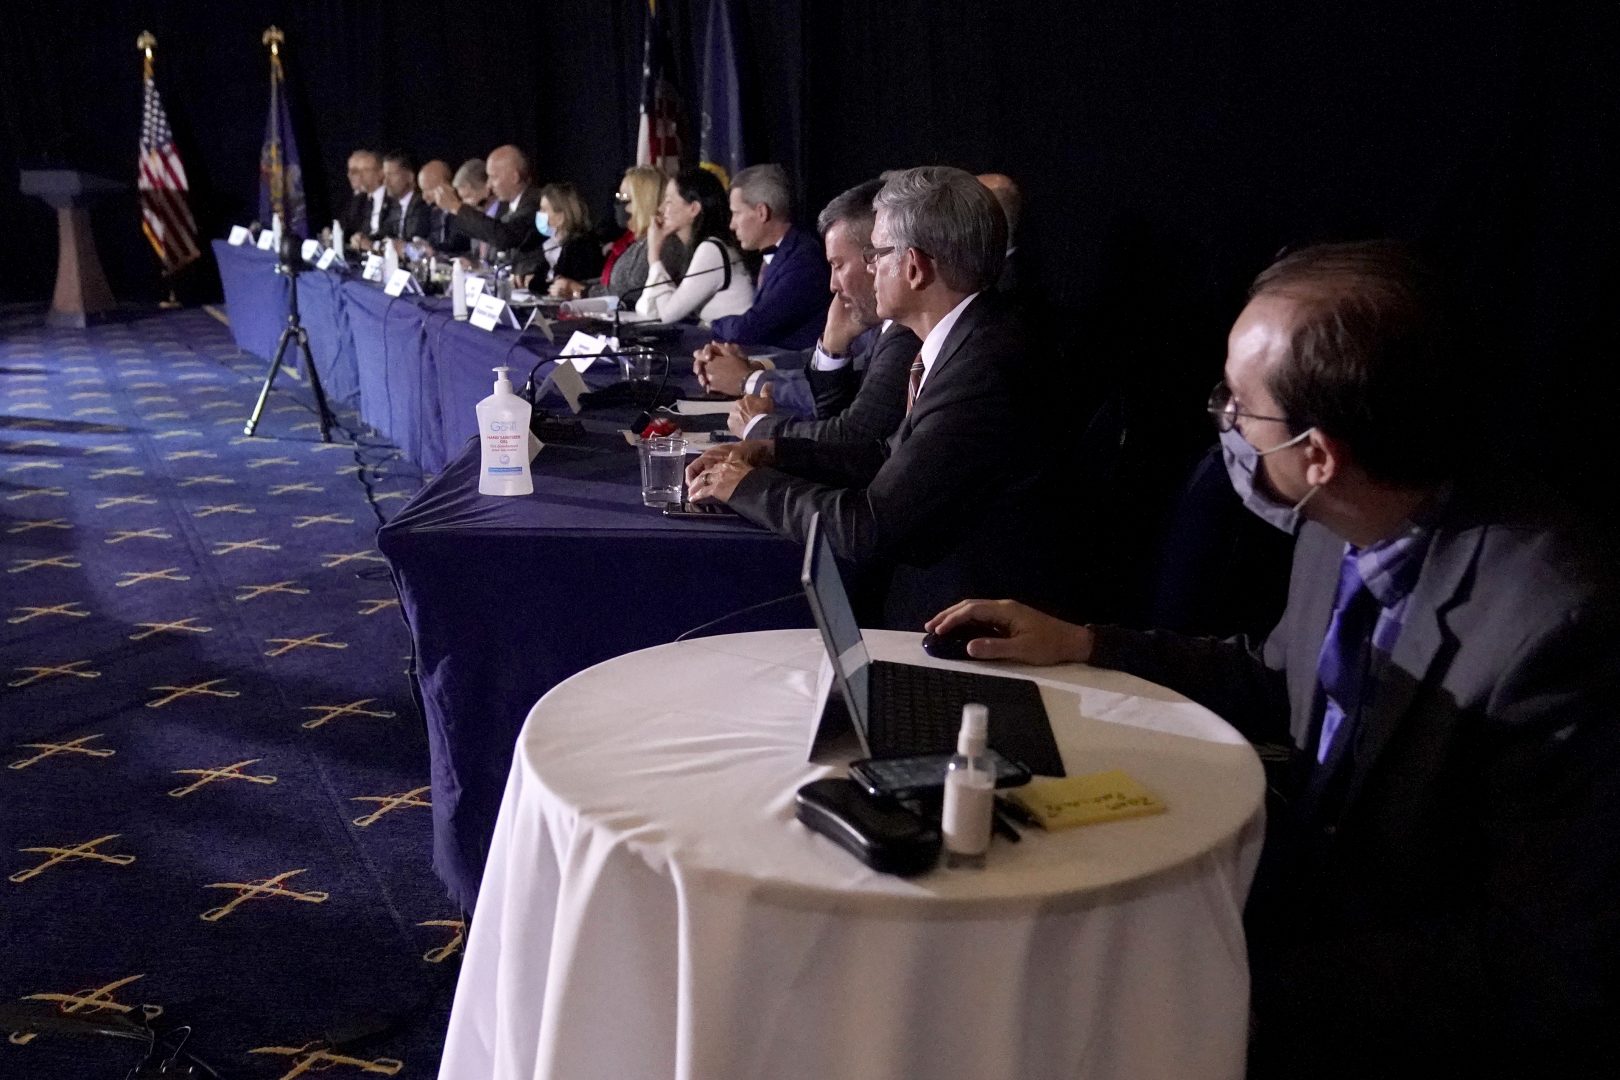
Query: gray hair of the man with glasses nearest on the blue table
x=953, y=219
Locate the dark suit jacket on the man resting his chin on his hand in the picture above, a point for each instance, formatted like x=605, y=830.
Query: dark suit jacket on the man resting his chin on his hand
x=879, y=404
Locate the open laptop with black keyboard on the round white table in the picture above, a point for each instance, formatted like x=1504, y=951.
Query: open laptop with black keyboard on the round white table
x=900, y=710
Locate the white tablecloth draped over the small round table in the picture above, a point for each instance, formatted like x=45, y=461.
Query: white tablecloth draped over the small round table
x=652, y=909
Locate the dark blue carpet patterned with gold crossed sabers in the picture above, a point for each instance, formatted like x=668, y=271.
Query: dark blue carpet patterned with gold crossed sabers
x=215, y=809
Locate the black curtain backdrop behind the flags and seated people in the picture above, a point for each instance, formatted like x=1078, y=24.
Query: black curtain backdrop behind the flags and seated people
x=1166, y=148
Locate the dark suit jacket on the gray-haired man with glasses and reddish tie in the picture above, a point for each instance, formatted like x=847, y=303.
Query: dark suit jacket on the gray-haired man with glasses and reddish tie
x=952, y=504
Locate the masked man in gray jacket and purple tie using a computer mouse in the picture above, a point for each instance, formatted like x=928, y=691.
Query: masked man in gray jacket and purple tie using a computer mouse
x=1438, y=891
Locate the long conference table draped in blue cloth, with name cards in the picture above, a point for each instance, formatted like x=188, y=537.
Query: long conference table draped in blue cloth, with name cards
x=505, y=598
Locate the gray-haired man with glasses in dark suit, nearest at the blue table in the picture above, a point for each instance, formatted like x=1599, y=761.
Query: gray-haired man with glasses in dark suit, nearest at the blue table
x=940, y=503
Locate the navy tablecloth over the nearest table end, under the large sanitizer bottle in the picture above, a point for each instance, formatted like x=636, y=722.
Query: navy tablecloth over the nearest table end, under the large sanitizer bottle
x=509, y=597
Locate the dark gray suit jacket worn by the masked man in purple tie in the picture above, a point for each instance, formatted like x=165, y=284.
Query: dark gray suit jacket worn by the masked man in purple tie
x=1459, y=908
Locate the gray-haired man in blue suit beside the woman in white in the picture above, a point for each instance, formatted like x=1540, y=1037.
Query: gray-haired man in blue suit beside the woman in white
x=790, y=299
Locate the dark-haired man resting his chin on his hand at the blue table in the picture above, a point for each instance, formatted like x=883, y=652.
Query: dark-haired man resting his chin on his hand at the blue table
x=851, y=386
